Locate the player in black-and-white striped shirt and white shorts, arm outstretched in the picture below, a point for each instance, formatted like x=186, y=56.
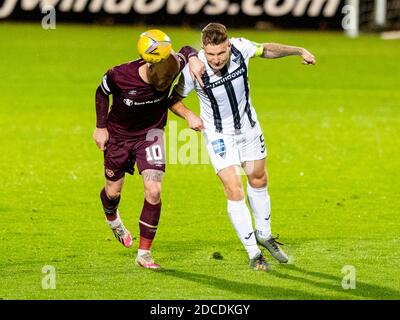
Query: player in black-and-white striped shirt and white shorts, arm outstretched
x=232, y=133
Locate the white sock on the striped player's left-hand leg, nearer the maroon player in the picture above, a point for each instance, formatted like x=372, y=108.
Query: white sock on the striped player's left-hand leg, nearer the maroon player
x=241, y=219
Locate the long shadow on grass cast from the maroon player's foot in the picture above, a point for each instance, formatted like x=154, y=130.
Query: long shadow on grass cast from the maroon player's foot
x=255, y=291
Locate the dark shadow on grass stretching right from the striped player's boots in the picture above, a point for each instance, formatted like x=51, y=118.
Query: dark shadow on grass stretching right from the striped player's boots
x=362, y=290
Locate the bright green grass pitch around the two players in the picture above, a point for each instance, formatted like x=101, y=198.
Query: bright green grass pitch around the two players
x=332, y=133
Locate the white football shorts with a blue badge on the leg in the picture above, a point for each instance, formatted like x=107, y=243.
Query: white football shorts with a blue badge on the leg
x=228, y=150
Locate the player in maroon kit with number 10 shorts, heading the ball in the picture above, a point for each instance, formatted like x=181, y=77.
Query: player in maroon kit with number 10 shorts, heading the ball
x=132, y=131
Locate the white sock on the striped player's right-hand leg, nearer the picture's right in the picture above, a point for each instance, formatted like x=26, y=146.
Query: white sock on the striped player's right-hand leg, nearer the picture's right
x=261, y=206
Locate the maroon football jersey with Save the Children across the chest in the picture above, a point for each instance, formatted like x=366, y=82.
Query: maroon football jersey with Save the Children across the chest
x=137, y=106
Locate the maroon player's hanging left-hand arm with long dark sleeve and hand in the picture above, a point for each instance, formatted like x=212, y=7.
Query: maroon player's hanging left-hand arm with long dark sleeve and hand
x=100, y=134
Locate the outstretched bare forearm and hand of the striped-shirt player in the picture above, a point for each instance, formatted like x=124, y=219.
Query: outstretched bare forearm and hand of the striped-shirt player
x=276, y=50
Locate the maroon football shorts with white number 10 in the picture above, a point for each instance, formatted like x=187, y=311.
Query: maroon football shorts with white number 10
x=121, y=155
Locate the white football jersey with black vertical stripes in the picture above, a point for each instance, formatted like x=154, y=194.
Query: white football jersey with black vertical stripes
x=225, y=104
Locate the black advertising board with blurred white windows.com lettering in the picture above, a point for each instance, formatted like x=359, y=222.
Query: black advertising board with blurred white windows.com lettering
x=322, y=14
